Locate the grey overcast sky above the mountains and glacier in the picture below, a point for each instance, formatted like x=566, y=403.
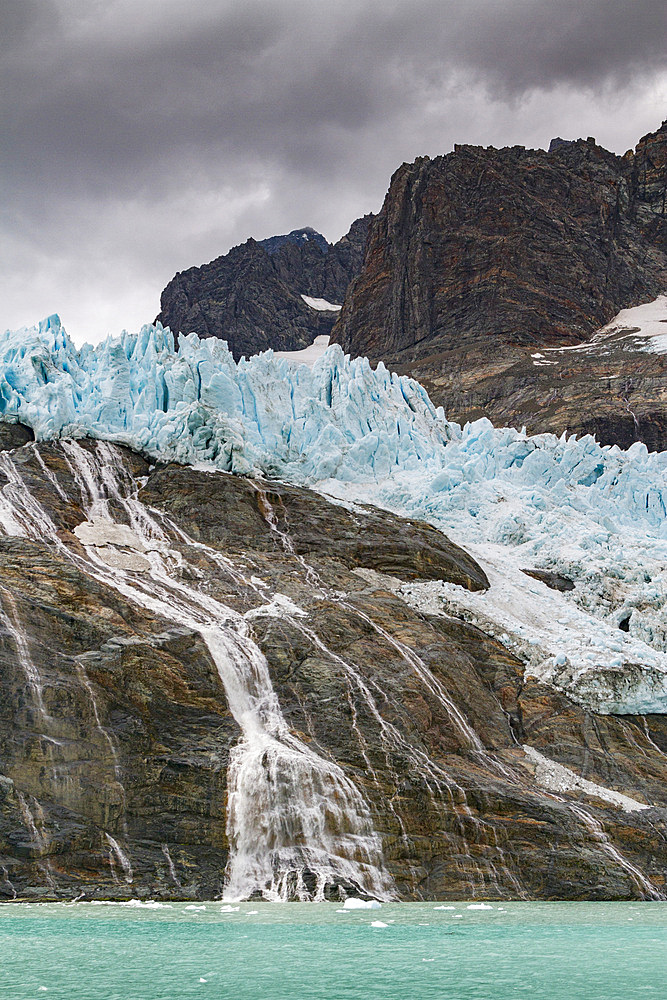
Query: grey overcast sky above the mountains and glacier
x=141, y=137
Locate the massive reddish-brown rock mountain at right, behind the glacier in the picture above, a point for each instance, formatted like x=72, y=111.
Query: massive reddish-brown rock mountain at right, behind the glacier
x=484, y=256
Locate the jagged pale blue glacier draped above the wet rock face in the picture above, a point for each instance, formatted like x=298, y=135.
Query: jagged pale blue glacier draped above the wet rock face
x=594, y=514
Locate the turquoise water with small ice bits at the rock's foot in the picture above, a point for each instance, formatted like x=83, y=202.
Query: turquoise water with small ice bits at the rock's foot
x=556, y=951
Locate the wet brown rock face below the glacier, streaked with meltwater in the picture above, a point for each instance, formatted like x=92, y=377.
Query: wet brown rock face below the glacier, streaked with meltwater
x=120, y=739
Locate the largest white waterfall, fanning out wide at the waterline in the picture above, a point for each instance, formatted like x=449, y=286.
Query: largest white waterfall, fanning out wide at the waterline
x=297, y=826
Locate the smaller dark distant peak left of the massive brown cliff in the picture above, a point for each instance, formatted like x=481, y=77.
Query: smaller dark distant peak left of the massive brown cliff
x=252, y=296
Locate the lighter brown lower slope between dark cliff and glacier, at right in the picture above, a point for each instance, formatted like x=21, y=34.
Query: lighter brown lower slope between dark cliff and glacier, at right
x=612, y=386
